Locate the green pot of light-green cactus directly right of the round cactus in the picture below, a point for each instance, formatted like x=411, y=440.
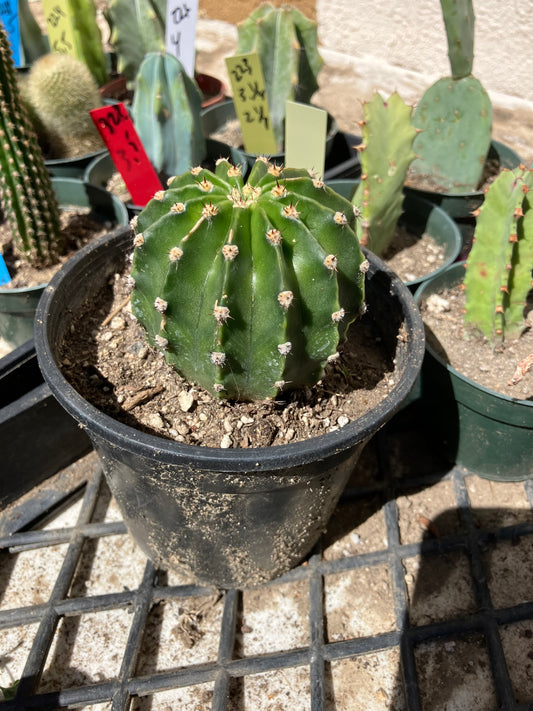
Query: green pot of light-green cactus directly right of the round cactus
x=420, y=216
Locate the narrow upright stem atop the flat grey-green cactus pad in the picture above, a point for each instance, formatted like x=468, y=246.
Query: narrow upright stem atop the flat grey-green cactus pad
x=458, y=18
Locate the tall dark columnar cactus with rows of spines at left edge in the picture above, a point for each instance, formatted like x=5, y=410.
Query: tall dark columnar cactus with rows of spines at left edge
x=26, y=190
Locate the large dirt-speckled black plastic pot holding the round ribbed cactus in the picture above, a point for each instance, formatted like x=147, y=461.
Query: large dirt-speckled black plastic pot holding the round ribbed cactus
x=235, y=517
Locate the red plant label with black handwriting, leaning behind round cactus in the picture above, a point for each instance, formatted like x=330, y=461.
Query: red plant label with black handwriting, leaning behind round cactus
x=118, y=132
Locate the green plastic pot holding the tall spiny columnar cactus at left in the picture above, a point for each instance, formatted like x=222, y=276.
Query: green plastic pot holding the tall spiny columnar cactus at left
x=17, y=306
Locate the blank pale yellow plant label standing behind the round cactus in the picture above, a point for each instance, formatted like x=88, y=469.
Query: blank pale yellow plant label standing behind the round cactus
x=305, y=137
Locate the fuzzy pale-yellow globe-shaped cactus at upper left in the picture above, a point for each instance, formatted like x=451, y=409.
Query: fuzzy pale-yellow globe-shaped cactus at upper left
x=61, y=91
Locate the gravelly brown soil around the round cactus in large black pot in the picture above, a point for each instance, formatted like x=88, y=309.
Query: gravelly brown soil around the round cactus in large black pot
x=109, y=361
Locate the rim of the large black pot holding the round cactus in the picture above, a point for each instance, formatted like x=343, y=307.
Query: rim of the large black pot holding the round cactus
x=212, y=458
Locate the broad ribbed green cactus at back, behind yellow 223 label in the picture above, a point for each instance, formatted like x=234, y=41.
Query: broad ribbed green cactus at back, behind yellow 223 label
x=287, y=44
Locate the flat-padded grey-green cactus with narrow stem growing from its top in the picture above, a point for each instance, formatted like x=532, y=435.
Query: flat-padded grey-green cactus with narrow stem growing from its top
x=455, y=114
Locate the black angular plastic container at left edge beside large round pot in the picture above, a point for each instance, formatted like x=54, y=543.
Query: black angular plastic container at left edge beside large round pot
x=37, y=436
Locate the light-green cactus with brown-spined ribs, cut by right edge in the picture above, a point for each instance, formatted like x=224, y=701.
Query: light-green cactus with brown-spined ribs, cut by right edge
x=499, y=270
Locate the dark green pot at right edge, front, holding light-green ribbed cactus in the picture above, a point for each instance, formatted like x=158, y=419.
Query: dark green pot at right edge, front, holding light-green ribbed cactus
x=489, y=433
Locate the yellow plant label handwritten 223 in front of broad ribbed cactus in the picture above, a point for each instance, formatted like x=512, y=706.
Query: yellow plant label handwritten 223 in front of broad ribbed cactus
x=251, y=104
